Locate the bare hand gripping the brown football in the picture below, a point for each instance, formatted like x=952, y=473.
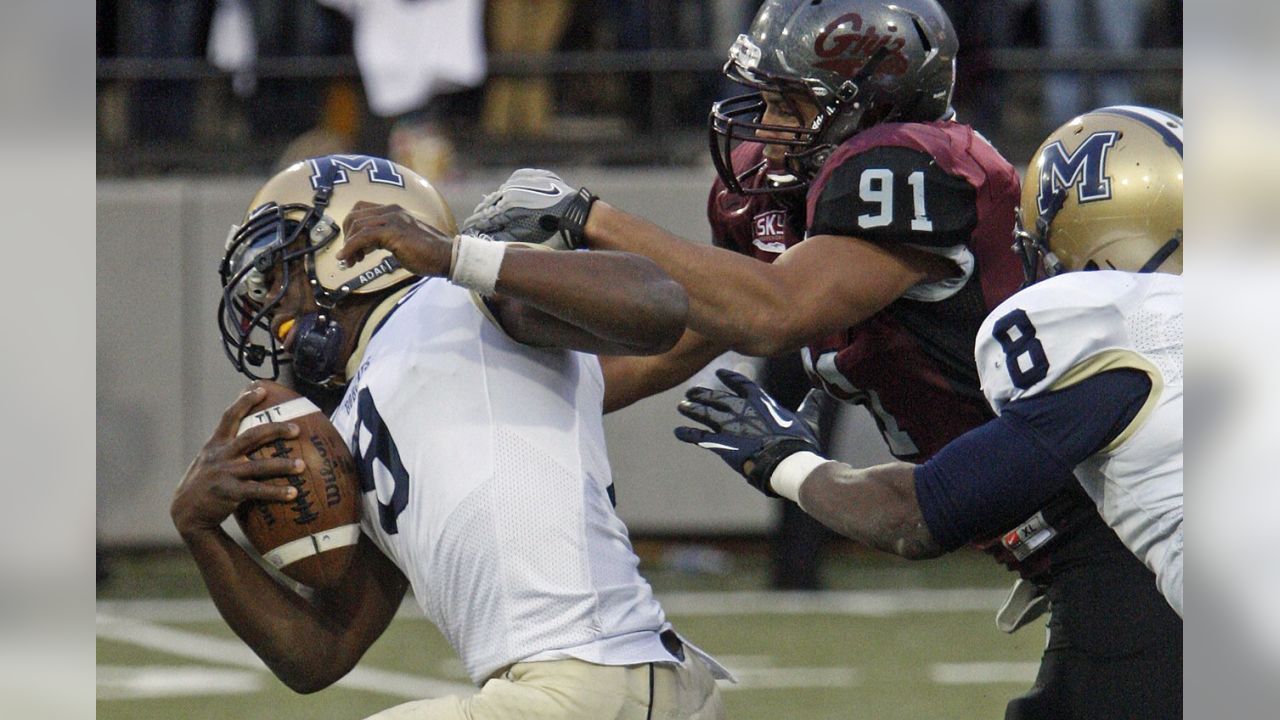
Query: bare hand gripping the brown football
x=221, y=477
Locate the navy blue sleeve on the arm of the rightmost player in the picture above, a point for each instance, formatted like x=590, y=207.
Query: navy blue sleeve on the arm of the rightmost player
x=999, y=475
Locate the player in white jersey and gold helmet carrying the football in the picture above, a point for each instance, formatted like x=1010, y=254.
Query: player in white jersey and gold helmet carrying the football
x=474, y=414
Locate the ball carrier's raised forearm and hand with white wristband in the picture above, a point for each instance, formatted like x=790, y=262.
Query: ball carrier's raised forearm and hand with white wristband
x=593, y=302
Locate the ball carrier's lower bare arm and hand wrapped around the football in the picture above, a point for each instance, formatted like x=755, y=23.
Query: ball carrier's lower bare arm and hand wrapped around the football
x=308, y=644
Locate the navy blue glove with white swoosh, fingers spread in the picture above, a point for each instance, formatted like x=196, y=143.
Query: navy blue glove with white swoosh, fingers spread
x=748, y=429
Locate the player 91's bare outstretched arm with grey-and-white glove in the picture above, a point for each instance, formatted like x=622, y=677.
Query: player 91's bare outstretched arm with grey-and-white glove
x=824, y=285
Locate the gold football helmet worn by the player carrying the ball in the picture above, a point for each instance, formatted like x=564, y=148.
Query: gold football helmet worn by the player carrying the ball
x=299, y=216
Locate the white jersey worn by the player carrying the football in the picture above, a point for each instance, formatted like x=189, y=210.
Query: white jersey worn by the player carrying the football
x=492, y=489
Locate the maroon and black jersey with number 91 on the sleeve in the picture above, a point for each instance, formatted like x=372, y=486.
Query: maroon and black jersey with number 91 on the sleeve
x=943, y=188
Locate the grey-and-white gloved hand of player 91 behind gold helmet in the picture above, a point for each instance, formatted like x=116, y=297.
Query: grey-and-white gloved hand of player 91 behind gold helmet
x=533, y=207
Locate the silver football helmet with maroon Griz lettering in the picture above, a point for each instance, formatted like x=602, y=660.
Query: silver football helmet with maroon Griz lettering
x=860, y=62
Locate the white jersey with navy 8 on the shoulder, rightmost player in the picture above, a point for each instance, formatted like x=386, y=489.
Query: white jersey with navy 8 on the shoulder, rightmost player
x=1073, y=327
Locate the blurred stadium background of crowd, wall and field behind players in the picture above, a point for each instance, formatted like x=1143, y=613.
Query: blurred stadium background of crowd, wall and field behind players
x=615, y=97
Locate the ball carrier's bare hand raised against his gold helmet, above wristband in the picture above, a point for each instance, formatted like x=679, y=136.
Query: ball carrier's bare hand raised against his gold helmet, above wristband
x=420, y=249
